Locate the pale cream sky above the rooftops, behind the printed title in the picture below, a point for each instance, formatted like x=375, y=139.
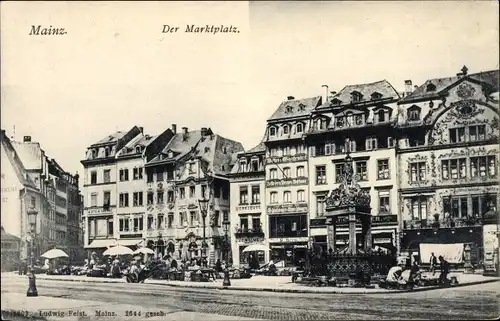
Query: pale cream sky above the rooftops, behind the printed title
x=115, y=68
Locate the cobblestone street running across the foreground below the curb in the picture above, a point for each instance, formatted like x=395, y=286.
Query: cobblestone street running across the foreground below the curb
x=472, y=302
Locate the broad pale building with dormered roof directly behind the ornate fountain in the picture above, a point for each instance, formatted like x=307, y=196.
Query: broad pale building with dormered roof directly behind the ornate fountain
x=359, y=119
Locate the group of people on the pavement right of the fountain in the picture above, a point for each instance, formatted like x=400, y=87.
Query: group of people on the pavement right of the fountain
x=401, y=273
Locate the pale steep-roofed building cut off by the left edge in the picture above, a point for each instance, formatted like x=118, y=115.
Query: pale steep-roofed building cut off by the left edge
x=19, y=194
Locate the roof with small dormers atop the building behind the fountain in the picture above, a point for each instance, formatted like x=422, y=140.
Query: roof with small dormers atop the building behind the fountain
x=382, y=87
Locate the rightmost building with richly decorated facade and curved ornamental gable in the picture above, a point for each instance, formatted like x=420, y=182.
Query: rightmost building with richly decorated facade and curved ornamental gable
x=448, y=161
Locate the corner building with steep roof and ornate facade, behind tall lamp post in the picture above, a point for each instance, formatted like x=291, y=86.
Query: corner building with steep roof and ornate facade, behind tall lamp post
x=193, y=165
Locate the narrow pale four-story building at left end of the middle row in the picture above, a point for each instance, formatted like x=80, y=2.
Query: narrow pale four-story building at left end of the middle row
x=100, y=189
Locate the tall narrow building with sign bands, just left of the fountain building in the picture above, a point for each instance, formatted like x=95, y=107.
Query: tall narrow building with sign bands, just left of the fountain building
x=287, y=179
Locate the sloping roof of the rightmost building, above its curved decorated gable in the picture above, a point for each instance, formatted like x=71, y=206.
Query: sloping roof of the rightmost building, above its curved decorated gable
x=489, y=77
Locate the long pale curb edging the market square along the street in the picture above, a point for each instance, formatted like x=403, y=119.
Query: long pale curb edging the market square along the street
x=304, y=290
